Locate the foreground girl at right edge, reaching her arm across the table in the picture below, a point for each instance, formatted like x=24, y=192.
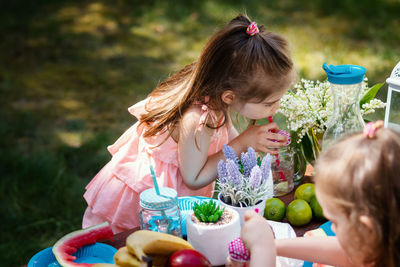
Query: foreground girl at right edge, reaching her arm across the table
x=358, y=186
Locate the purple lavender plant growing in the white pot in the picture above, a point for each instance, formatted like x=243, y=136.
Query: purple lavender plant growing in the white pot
x=246, y=181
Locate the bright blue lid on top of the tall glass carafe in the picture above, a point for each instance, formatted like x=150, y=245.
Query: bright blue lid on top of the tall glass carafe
x=344, y=74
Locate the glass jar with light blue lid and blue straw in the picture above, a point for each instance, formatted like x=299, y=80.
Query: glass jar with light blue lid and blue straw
x=159, y=209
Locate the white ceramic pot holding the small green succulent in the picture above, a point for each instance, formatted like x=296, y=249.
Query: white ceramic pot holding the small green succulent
x=213, y=240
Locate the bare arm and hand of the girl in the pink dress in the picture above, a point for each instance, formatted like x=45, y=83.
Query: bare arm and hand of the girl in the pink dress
x=197, y=168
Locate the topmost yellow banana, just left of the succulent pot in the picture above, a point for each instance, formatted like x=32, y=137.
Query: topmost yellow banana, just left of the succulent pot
x=144, y=242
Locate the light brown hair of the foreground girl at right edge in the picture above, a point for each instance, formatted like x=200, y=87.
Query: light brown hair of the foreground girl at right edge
x=362, y=176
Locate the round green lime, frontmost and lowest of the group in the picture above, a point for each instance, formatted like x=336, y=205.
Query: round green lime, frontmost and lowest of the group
x=298, y=212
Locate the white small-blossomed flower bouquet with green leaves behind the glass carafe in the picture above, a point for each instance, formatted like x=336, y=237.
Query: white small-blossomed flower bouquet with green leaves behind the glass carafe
x=308, y=107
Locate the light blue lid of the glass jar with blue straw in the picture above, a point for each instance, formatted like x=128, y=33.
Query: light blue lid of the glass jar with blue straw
x=150, y=200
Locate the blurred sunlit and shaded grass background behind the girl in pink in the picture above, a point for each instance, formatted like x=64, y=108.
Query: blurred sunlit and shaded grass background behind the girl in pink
x=70, y=69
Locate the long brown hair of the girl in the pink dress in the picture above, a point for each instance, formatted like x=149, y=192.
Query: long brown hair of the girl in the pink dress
x=229, y=61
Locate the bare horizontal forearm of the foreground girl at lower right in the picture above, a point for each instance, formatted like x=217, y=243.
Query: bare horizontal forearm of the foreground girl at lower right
x=325, y=250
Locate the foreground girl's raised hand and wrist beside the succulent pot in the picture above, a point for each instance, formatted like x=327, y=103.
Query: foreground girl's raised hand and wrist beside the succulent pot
x=258, y=237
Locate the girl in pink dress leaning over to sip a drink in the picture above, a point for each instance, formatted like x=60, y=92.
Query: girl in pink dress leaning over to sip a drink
x=184, y=123
